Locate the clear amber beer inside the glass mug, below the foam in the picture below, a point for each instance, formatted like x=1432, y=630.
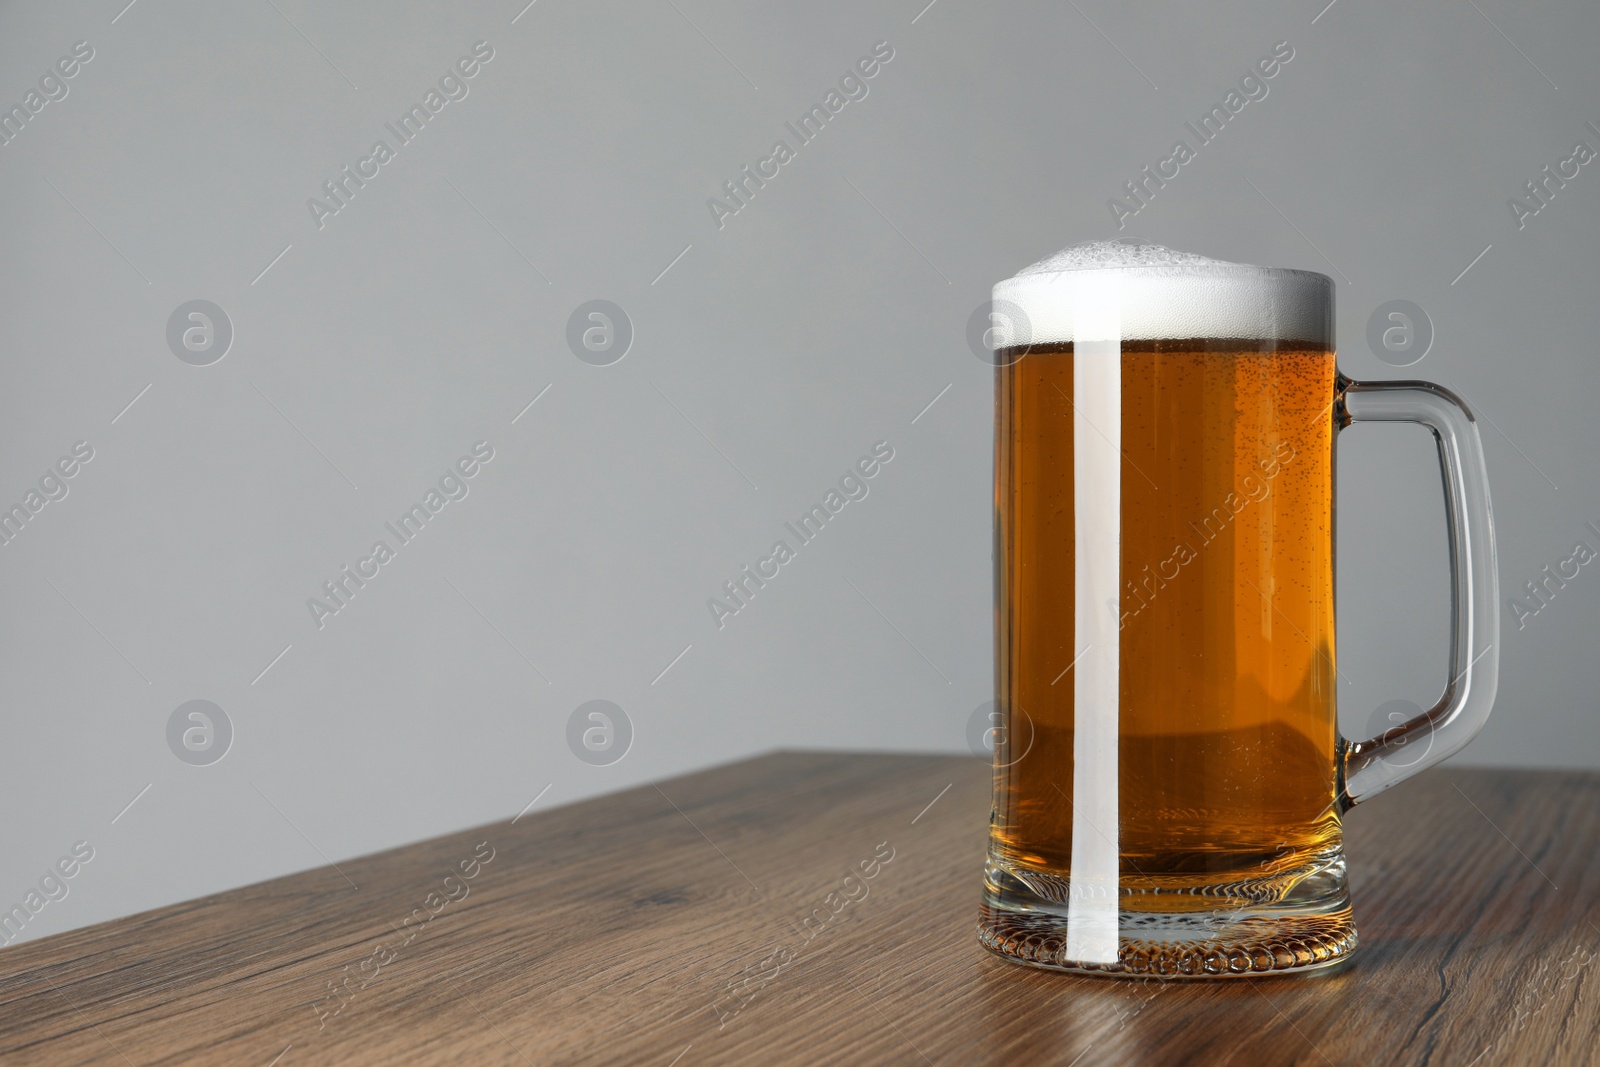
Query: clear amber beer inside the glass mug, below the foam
x=1226, y=727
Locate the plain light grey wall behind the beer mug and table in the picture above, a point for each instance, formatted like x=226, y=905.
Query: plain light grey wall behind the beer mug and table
x=825, y=318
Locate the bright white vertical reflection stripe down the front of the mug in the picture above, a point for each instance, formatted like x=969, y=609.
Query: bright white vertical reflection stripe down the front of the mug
x=1097, y=449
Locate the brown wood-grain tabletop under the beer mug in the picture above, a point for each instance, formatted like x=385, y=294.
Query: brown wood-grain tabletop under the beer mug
x=708, y=922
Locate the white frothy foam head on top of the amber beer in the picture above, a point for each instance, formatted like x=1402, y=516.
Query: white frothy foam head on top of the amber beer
x=1134, y=290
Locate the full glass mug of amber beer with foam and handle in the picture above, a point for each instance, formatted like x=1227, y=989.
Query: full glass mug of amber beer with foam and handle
x=1170, y=778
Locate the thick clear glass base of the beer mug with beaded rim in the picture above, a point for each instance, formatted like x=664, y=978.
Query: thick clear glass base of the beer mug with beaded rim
x=1284, y=925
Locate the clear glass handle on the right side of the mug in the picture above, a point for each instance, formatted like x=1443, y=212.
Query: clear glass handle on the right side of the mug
x=1460, y=714
